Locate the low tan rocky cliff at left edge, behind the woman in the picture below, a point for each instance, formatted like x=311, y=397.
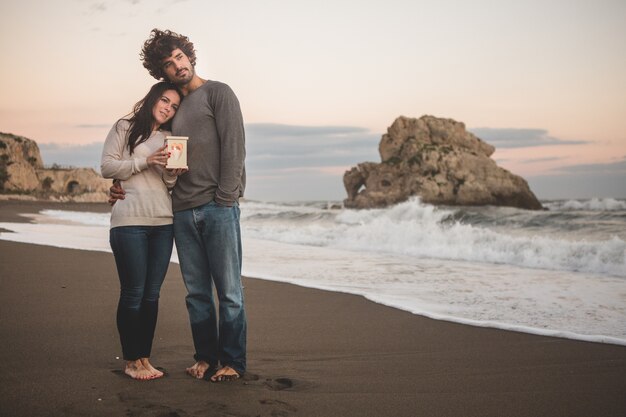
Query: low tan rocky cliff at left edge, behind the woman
x=22, y=171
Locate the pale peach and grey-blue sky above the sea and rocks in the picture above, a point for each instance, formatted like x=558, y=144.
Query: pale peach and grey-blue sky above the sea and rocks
x=320, y=81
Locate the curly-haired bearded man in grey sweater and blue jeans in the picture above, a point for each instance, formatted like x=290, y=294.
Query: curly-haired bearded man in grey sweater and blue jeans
x=205, y=203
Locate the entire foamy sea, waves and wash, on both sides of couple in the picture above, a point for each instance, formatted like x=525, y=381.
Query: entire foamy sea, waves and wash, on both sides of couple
x=559, y=272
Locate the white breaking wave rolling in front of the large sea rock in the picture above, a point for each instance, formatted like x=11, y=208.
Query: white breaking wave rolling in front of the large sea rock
x=421, y=230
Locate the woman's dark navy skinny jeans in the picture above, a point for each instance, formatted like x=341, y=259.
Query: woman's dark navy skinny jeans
x=142, y=255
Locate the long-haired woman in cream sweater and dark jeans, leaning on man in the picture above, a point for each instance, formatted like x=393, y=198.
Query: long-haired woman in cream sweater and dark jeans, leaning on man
x=141, y=234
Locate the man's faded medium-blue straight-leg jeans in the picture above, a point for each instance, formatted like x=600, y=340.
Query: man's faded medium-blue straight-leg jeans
x=208, y=241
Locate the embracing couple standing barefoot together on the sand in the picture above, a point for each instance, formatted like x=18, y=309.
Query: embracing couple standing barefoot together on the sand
x=198, y=208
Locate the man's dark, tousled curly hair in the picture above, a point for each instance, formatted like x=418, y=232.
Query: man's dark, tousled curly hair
x=159, y=46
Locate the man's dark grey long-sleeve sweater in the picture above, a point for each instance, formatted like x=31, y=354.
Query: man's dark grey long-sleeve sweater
x=211, y=117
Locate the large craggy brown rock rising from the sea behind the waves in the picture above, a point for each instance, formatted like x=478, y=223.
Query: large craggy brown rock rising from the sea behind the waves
x=439, y=161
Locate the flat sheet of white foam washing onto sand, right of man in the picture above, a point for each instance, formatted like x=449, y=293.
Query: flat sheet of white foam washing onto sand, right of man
x=579, y=306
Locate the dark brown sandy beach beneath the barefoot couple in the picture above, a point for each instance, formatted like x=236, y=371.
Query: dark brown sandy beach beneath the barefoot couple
x=310, y=352
